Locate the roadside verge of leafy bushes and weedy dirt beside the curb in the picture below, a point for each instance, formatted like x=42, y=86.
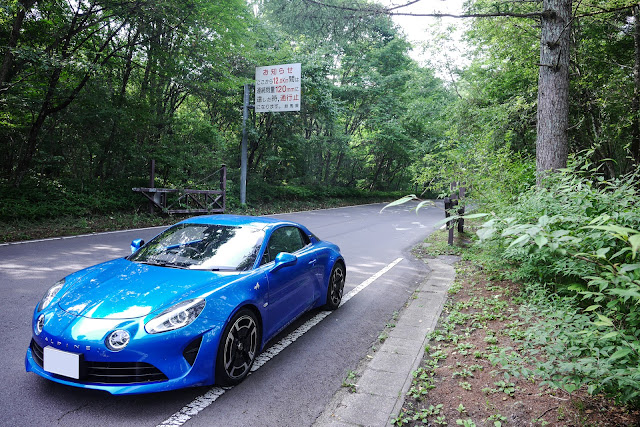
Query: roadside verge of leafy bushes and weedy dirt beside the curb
x=568, y=252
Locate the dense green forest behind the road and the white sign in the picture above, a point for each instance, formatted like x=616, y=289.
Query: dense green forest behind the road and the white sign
x=91, y=91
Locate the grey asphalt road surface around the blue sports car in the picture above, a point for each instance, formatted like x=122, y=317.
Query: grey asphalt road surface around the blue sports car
x=292, y=389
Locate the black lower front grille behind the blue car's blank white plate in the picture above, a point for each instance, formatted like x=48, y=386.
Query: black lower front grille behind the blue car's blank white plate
x=109, y=372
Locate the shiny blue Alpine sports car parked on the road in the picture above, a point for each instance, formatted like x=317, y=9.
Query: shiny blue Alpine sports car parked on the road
x=192, y=307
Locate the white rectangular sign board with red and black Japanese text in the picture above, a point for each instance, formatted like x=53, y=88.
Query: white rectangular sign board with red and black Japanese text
x=278, y=88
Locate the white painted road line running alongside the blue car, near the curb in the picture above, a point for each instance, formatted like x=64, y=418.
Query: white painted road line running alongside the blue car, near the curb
x=202, y=402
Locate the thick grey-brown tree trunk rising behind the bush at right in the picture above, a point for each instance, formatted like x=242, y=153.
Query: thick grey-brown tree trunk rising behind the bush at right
x=552, y=145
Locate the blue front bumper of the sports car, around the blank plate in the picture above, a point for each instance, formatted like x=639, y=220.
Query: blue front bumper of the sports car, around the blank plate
x=150, y=363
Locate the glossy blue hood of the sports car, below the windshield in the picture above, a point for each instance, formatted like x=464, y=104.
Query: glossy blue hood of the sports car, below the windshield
x=121, y=289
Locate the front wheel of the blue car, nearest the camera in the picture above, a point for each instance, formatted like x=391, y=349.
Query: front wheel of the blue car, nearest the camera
x=238, y=348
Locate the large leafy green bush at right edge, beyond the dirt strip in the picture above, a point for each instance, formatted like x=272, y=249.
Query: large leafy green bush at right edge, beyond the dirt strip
x=577, y=237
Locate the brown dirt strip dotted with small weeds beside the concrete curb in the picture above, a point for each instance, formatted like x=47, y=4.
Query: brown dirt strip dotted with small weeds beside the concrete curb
x=458, y=384
